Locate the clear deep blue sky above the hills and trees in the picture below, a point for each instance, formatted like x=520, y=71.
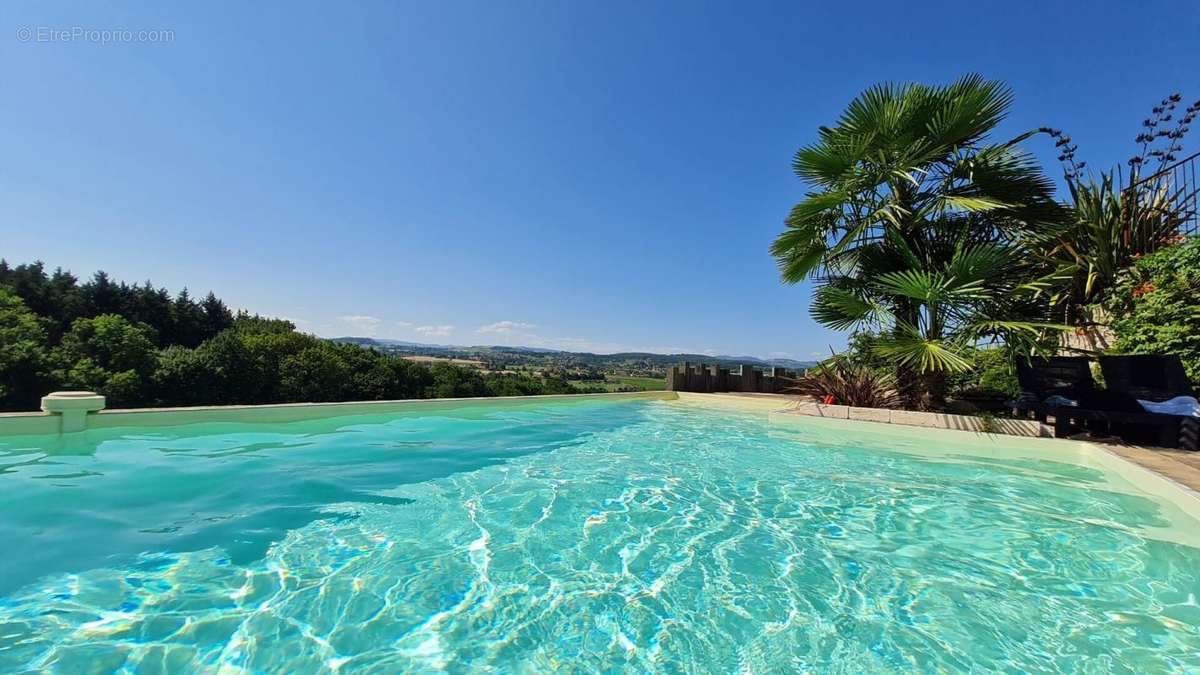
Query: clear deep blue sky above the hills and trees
x=578, y=175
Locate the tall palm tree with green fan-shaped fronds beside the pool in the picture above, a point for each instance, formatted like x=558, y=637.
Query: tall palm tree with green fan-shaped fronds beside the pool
x=915, y=226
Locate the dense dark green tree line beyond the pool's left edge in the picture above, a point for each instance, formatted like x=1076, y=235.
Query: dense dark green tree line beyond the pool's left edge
x=140, y=345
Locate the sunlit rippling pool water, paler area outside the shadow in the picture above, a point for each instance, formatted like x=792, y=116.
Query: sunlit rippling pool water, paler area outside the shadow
x=681, y=542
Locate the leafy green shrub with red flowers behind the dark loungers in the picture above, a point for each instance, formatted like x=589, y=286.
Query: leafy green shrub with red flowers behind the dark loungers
x=1155, y=307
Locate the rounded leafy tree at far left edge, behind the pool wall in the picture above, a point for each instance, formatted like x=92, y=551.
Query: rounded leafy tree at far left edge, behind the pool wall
x=25, y=360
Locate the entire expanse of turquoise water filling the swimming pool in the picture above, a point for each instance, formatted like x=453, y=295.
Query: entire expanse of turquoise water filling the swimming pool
x=596, y=536
